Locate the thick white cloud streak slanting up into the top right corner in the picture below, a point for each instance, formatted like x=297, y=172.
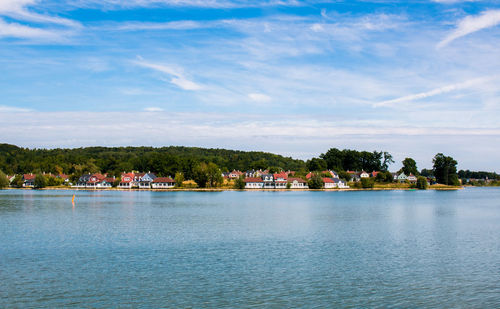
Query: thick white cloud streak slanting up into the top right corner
x=471, y=24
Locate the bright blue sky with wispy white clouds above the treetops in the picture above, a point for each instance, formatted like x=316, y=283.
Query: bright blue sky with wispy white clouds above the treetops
x=285, y=76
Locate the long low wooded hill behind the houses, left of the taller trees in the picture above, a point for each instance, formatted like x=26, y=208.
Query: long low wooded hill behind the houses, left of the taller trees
x=114, y=160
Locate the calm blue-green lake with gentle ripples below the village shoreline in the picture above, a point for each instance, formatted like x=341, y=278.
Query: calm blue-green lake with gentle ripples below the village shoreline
x=434, y=249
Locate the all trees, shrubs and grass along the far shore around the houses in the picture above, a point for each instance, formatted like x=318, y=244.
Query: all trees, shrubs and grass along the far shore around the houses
x=193, y=167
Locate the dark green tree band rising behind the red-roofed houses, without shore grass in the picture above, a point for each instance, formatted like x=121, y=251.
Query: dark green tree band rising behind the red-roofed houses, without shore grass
x=205, y=165
